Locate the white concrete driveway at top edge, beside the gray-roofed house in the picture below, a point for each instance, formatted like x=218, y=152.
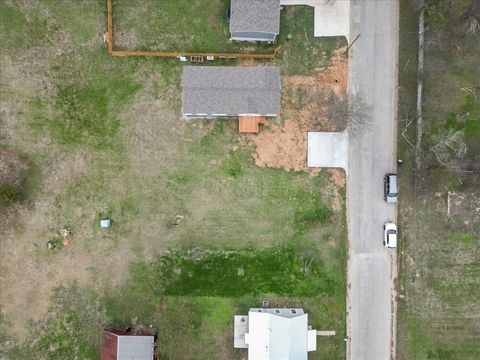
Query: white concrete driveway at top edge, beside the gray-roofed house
x=332, y=18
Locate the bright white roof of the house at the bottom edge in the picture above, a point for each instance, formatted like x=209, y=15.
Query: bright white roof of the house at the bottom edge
x=277, y=337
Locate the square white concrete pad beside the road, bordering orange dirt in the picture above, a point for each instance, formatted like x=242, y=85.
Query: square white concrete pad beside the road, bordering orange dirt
x=327, y=149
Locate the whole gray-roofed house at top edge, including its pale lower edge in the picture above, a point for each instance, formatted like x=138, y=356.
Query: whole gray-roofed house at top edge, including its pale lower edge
x=254, y=20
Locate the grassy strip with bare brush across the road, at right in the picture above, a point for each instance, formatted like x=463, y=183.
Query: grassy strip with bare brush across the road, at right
x=440, y=244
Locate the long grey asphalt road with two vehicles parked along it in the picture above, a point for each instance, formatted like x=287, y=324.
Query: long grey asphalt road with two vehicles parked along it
x=372, y=268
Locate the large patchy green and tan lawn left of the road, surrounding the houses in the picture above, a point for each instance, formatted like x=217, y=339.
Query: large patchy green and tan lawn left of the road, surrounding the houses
x=189, y=207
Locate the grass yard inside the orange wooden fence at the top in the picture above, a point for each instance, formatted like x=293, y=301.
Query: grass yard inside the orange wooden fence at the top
x=181, y=25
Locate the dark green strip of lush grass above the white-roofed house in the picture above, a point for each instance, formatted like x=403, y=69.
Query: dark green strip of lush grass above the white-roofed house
x=237, y=273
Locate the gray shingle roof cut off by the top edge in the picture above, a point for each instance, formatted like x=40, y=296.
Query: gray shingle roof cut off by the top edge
x=255, y=15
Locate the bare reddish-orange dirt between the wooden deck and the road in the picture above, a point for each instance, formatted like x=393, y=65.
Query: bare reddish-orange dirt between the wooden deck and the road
x=304, y=108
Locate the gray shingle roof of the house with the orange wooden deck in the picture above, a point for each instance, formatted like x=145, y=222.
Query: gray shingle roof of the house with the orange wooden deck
x=230, y=90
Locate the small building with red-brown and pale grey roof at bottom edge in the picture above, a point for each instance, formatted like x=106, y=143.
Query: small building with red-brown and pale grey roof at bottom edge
x=119, y=345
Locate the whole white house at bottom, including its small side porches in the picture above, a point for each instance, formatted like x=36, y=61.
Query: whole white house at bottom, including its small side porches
x=270, y=333
